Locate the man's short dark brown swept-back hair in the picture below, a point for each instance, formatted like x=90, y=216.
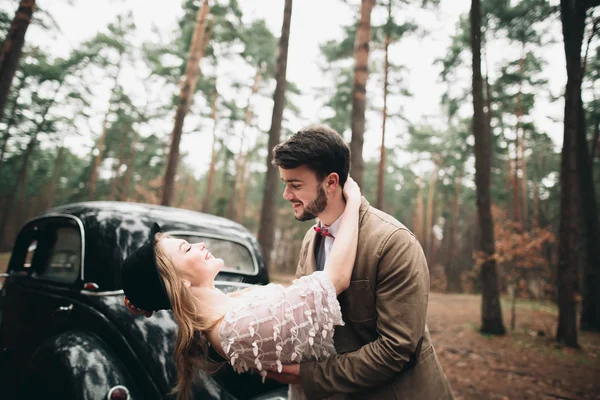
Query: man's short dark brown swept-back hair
x=319, y=148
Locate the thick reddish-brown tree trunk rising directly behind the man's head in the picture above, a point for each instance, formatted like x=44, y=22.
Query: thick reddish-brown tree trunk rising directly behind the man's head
x=359, y=90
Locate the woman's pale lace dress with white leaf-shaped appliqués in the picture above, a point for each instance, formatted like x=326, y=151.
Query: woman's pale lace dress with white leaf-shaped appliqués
x=276, y=325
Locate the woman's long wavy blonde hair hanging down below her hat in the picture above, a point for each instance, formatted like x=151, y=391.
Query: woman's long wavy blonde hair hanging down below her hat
x=191, y=347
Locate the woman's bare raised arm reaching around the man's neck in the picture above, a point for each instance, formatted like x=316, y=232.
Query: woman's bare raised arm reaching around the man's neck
x=343, y=253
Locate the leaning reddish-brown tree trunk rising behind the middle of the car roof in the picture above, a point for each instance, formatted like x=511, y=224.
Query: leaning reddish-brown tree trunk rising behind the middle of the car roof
x=186, y=94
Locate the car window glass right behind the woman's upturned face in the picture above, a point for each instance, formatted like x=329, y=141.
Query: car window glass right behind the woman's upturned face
x=236, y=256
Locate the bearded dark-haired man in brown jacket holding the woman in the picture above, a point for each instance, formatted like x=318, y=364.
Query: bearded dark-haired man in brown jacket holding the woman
x=384, y=350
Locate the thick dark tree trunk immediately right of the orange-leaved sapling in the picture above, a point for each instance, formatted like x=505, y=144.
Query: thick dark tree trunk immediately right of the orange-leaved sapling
x=573, y=19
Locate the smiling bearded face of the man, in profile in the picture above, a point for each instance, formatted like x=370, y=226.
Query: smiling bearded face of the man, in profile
x=304, y=191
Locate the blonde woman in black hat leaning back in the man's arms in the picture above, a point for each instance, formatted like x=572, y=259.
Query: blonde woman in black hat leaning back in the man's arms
x=258, y=328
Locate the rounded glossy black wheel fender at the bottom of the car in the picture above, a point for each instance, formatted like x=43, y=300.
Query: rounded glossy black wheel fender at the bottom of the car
x=75, y=365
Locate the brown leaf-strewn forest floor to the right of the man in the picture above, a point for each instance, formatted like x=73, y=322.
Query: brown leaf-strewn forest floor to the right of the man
x=524, y=364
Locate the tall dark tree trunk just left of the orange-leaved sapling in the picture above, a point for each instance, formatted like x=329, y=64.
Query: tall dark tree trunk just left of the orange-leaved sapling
x=491, y=314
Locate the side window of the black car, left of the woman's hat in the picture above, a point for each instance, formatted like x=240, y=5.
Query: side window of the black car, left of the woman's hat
x=58, y=254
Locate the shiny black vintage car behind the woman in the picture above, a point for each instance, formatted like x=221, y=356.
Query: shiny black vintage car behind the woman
x=64, y=331
